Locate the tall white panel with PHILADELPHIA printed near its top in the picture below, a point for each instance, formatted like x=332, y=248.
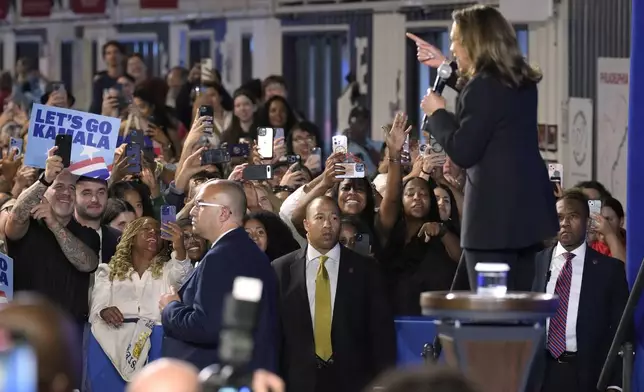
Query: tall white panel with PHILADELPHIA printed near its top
x=612, y=124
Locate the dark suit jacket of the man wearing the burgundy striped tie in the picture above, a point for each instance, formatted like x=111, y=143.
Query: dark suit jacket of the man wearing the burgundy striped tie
x=604, y=292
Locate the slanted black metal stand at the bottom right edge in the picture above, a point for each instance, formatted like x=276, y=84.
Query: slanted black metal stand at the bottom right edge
x=623, y=329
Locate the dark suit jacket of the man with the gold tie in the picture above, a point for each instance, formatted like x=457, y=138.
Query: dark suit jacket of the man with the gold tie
x=363, y=334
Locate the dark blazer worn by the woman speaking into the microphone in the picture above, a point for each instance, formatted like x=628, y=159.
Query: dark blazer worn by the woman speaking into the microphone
x=509, y=201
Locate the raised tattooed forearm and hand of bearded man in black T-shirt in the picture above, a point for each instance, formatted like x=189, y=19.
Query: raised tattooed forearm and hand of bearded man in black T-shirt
x=18, y=220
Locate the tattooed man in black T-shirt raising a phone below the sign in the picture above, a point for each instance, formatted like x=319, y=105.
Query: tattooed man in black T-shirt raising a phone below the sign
x=53, y=254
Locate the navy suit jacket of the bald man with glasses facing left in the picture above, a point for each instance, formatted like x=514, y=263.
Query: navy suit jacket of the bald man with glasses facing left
x=192, y=327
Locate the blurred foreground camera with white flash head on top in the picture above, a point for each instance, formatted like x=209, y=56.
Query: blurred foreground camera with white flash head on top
x=236, y=342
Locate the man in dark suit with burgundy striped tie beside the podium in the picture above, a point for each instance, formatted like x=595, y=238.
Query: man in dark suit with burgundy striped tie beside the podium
x=593, y=291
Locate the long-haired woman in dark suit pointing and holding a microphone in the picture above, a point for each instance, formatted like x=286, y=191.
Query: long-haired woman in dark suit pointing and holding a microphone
x=509, y=206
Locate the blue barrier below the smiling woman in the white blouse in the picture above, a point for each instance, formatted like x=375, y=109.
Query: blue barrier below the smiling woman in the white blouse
x=100, y=374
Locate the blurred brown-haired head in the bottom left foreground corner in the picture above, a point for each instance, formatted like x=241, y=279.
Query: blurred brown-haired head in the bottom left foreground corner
x=51, y=334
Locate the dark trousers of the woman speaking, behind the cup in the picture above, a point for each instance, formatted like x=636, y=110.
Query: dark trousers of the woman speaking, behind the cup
x=521, y=262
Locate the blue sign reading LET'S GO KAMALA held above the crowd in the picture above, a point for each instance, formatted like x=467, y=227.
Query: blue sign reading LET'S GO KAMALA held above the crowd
x=93, y=143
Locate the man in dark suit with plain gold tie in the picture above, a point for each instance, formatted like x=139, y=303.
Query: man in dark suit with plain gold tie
x=336, y=332
